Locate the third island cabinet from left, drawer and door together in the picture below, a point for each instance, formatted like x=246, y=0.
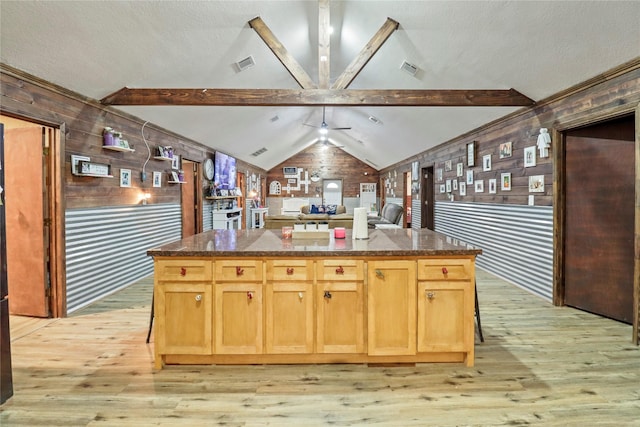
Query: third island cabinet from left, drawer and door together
x=289, y=313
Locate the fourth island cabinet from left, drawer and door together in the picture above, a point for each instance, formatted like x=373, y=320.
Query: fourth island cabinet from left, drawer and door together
x=340, y=306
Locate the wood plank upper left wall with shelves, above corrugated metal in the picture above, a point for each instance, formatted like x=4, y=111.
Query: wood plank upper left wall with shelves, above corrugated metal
x=27, y=97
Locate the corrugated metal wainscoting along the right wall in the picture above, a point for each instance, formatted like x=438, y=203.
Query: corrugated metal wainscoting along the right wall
x=516, y=241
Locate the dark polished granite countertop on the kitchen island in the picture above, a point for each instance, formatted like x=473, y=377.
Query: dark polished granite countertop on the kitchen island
x=269, y=243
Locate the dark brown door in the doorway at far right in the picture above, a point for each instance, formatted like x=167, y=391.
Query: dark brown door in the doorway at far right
x=599, y=192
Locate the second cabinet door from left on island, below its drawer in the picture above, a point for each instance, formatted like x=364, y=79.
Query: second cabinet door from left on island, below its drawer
x=238, y=318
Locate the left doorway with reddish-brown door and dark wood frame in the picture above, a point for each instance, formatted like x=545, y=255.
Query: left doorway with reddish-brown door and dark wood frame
x=32, y=218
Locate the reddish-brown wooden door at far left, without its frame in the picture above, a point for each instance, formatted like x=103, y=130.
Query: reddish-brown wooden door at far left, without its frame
x=24, y=197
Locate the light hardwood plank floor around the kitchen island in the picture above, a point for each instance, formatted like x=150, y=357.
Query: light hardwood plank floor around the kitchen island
x=540, y=365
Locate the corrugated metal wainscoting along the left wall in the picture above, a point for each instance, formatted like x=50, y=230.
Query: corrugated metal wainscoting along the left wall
x=106, y=248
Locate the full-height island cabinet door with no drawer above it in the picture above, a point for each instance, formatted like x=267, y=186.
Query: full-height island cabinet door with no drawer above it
x=391, y=311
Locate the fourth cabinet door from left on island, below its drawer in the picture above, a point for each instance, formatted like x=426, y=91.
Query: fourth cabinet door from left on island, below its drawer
x=340, y=315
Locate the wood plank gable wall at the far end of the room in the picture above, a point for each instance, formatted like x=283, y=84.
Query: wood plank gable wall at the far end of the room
x=332, y=163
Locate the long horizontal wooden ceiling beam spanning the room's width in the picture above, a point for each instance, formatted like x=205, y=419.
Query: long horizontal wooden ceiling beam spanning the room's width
x=314, y=97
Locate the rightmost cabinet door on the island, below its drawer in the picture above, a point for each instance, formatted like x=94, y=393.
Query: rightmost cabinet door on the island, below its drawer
x=443, y=324
